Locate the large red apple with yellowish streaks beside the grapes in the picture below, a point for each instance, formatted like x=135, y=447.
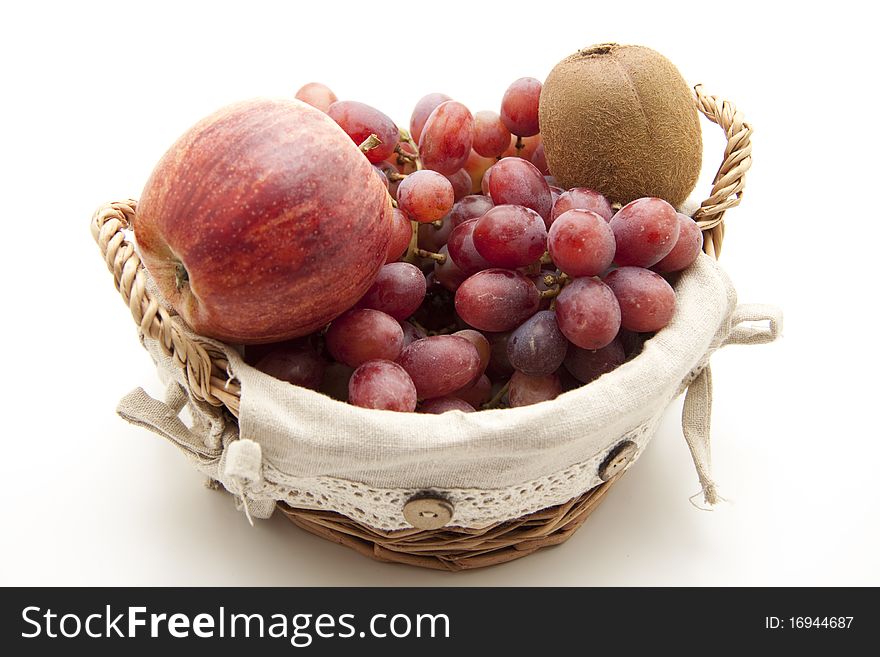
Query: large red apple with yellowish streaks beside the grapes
x=263, y=222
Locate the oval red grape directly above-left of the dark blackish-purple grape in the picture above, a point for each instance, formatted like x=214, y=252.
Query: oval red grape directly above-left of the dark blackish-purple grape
x=496, y=299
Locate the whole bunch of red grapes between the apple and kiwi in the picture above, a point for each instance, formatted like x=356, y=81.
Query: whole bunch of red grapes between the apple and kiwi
x=500, y=288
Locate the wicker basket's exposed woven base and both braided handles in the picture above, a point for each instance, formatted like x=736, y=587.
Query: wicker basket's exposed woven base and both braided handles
x=448, y=548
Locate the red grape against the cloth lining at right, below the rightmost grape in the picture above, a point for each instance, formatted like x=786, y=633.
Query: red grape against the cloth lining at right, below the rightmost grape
x=647, y=301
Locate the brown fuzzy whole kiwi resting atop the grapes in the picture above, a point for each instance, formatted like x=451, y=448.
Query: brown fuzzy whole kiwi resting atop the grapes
x=621, y=120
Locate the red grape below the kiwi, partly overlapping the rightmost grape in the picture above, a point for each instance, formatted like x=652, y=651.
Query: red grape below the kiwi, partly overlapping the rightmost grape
x=645, y=231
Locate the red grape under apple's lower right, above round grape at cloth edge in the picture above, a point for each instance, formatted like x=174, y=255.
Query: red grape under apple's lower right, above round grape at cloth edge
x=364, y=334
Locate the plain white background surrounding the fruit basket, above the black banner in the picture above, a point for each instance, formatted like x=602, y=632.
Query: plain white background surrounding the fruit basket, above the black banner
x=92, y=95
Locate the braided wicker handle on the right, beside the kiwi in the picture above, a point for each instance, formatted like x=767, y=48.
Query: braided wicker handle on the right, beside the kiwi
x=727, y=187
